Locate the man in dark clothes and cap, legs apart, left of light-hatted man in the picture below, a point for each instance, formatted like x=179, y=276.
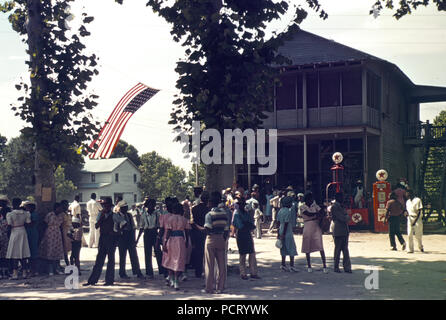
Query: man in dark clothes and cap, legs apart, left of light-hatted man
x=107, y=246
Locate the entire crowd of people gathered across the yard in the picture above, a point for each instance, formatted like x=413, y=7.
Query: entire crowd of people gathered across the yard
x=185, y=235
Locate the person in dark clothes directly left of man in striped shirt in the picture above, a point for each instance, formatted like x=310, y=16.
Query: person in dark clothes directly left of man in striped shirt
x=198, y=237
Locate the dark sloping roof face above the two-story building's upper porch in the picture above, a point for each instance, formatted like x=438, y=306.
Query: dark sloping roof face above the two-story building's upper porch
x=307, y=48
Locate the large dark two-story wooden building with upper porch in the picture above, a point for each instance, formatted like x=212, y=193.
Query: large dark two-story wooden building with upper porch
x=335, y=98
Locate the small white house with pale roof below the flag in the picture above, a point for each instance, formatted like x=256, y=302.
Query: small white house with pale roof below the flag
x=117, y=177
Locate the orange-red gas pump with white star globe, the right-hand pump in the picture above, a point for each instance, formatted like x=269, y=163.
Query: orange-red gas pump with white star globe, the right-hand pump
x=381, y=194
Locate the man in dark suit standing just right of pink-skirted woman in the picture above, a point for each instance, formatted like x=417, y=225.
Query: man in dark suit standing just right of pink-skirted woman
x=340, y=231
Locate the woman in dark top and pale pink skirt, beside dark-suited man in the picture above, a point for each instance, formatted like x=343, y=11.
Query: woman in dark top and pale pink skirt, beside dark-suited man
x=312, y=234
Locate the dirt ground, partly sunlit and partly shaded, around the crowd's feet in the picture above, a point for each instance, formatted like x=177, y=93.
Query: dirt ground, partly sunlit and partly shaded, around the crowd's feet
x=401, y=276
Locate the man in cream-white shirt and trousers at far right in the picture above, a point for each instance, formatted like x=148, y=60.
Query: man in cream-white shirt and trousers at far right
x=414, y=220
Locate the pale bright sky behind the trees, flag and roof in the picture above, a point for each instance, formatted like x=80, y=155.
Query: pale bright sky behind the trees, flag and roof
x=134, y=45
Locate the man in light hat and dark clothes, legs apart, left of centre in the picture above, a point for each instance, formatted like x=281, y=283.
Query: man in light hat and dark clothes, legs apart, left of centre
x=126, y=240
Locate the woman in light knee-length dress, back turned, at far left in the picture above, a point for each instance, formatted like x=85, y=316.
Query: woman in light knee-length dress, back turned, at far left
x=18, y=247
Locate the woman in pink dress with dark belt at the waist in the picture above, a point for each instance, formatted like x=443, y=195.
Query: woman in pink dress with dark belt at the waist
x=176, y=244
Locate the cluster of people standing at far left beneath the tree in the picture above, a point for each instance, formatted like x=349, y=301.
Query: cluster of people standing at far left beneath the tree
x=31, y=244
